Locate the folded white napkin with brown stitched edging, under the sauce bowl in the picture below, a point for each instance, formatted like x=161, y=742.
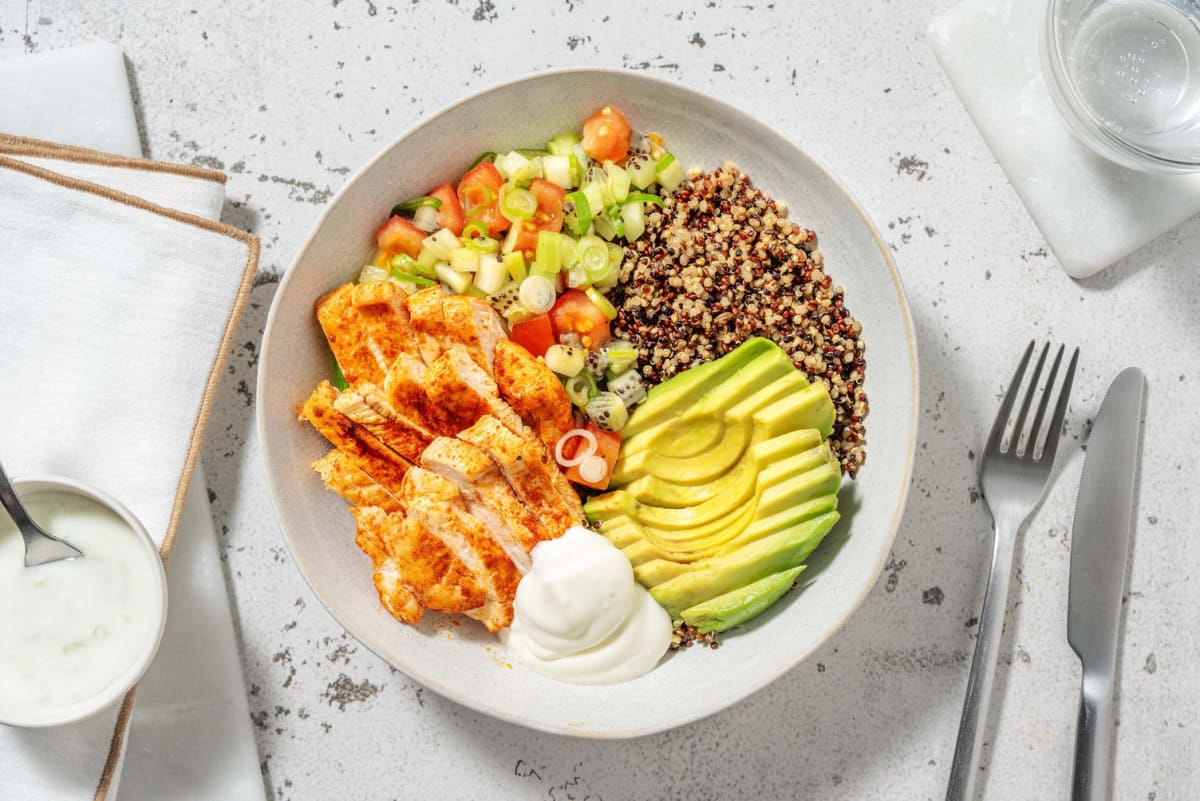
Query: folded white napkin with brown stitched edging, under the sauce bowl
x=121, y=299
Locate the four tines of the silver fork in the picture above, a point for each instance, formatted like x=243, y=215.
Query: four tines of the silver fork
x=1035, y=443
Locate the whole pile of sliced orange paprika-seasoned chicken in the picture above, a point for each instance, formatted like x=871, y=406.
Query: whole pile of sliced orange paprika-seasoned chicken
x=443, y=445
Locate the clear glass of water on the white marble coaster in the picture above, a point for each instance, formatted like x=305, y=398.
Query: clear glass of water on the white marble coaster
x=1126, y=77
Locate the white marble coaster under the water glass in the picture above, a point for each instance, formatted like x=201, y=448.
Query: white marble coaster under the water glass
x=1093, y=213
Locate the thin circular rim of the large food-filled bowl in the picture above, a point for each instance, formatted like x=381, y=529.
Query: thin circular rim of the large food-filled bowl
x=434, y=682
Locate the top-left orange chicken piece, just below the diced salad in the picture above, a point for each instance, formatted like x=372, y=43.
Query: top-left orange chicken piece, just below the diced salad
x=368, y=327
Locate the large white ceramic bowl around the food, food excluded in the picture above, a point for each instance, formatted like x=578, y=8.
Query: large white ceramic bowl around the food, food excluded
x=465, y=663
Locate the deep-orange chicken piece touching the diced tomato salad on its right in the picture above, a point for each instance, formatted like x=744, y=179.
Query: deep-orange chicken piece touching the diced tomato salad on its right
x=533, y=392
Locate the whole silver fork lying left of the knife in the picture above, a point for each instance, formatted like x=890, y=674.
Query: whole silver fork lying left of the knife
x=1013, y=474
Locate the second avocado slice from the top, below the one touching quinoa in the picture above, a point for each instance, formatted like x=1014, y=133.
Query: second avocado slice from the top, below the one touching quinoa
x=698, y=429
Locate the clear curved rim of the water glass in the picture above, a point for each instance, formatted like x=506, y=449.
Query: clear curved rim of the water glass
x=1081, y=118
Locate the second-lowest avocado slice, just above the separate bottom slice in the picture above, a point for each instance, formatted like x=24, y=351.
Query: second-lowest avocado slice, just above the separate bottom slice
x=759, y=559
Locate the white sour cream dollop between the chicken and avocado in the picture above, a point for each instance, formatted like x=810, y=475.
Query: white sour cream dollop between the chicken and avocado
x=581, y=618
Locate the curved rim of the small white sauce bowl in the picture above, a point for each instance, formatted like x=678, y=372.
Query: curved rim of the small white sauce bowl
x=83, y=709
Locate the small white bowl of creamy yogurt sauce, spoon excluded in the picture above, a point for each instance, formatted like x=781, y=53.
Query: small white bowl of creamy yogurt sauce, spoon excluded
x=76, y=635
